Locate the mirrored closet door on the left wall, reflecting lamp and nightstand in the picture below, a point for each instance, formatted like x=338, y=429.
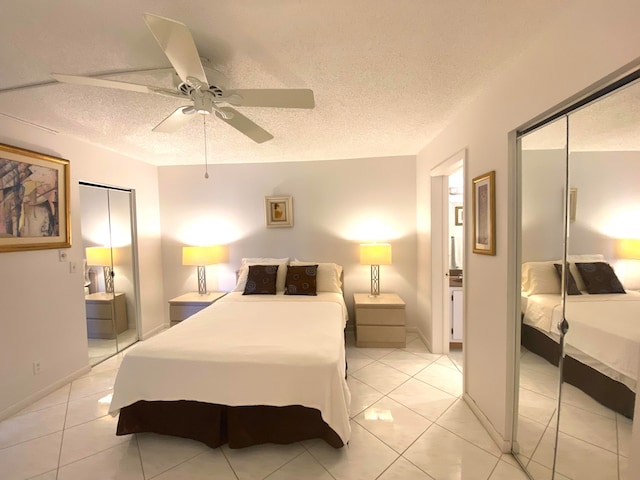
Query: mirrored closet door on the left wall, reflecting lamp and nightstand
x=111, y=286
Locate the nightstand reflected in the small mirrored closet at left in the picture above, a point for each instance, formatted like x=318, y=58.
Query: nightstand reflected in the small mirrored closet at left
x=106, y=314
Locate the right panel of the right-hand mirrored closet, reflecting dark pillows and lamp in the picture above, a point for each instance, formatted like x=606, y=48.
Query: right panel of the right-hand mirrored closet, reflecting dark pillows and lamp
x=603, y=310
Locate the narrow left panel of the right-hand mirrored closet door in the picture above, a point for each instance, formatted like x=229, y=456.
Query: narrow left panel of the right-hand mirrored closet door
x=543, y=155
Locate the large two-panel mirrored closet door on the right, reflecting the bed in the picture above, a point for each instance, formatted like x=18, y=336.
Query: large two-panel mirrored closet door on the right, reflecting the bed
x=580, y=263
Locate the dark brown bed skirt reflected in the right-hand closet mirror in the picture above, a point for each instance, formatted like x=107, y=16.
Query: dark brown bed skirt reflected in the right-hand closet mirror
x=610, y=393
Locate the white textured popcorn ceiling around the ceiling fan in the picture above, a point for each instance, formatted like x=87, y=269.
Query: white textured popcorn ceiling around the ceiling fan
x=386, y=74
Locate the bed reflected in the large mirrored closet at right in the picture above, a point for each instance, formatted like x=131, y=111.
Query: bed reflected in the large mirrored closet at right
x=603, y=342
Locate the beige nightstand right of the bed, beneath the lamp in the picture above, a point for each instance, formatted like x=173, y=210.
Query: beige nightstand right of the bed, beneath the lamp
x=380, y=321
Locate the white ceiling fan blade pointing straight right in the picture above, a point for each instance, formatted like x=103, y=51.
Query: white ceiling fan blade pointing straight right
x=272, y=97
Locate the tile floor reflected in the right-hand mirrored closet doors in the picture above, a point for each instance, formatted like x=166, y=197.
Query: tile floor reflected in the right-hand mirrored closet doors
x=594, y=440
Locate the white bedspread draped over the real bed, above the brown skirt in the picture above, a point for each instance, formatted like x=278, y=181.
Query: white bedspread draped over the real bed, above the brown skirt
x=247, y=350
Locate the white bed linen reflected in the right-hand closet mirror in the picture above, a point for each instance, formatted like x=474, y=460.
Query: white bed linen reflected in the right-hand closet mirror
x=604, y=330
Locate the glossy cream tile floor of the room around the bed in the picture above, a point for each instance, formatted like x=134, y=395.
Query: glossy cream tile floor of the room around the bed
x=408, y=422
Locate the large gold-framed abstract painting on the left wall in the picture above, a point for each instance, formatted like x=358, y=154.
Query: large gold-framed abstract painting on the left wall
x=34, y=201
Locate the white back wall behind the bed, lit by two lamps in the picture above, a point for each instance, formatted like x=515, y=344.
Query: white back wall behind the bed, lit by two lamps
x=336, y=206
